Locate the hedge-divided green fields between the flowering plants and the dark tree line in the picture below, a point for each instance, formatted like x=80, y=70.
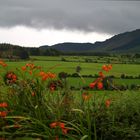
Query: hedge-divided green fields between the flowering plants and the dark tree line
x=56, y=65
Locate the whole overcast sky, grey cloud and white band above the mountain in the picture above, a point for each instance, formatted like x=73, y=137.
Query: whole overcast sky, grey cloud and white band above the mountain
x=32, y=23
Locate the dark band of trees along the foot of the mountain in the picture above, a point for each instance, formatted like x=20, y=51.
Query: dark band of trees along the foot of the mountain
x=18, y=52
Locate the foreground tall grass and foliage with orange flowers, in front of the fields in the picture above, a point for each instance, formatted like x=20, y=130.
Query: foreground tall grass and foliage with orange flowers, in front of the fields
x=37, y=104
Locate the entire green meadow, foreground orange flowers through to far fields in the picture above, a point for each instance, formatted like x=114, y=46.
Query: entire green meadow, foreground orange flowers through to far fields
x=37, y=104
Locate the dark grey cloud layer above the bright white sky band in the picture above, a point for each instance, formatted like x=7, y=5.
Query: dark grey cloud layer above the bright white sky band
x=85, y=15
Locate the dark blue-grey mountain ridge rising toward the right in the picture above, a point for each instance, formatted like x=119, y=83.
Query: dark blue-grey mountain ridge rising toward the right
x=124, y=42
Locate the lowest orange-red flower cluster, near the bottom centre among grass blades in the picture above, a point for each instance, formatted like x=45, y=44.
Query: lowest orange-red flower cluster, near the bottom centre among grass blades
x=60, y=125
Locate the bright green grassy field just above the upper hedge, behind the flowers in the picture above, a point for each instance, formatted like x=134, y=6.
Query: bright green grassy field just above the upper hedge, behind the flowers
x=87, y=68
